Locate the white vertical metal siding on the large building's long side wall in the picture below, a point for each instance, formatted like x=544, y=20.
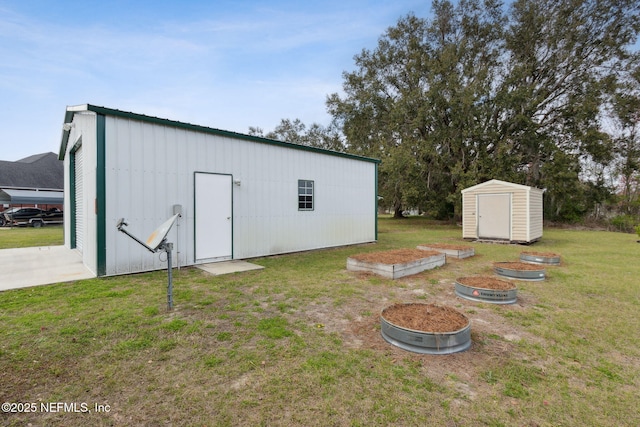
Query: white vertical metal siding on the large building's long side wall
x=151, y=167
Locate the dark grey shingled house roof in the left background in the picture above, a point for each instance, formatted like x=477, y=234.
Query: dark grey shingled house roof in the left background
x=39, y=171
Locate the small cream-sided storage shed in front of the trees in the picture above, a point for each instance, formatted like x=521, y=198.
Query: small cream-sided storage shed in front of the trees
x=499, y=210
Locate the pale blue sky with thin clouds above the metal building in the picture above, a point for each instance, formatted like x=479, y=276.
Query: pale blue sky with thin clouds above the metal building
x=223, y=64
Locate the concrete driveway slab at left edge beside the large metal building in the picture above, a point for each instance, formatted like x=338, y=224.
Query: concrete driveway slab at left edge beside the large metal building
x=24, y=267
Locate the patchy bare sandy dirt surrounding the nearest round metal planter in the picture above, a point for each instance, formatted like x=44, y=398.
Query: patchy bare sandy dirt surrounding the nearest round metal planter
x=492, y=339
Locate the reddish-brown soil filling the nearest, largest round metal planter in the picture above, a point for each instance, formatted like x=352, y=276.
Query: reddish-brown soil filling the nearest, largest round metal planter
x=425, y=317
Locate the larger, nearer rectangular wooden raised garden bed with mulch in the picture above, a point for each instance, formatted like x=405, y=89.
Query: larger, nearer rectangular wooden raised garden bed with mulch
x=396, y=263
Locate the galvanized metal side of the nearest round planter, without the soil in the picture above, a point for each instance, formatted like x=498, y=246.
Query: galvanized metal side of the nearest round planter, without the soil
x=426, y=342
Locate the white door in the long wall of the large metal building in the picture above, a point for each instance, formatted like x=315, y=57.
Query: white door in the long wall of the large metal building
x=213, y=217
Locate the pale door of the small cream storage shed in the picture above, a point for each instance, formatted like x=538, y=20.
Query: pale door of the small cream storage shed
x=494, y=216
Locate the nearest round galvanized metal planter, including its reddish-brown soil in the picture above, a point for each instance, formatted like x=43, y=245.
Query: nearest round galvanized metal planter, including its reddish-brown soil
x=426, y=328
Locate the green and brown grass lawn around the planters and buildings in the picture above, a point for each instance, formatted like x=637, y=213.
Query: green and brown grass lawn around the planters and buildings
x=299, y=343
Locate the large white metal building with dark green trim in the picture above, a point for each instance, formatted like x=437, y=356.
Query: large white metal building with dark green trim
x=239, y=196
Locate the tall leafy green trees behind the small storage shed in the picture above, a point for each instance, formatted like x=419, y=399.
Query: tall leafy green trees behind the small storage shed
x=544, y=93
